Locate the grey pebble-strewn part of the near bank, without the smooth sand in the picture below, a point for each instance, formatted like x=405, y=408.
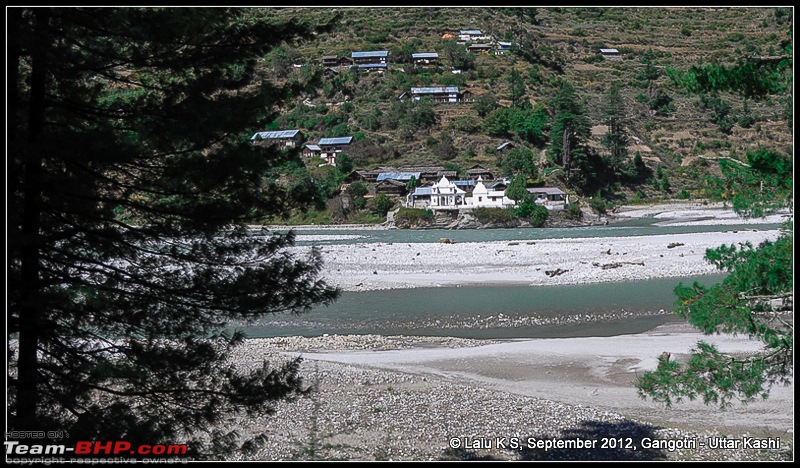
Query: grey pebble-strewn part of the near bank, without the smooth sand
x=365, y=413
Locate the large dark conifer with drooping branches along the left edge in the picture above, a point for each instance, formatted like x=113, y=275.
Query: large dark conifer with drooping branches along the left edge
x=131, y=178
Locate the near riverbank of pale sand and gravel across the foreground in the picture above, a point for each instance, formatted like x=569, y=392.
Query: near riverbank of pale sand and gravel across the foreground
x=406, y=398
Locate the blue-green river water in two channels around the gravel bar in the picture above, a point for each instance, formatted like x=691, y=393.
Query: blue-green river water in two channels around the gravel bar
x=494, y=311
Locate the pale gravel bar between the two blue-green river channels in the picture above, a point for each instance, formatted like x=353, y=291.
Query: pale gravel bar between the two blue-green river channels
x=361, y=267
